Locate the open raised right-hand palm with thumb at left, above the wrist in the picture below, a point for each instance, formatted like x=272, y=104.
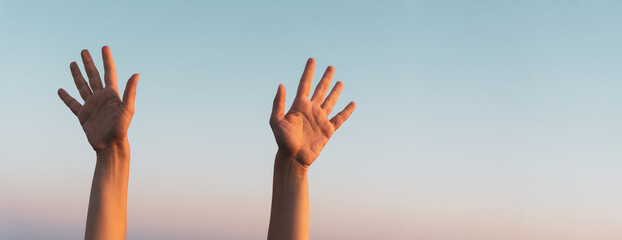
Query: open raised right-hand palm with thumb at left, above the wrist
x=304, y=131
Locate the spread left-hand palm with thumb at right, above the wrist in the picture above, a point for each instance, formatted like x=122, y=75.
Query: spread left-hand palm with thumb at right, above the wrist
x=105, y=117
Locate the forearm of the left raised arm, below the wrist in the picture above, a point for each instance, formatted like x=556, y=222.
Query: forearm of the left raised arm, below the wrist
x=108, y=202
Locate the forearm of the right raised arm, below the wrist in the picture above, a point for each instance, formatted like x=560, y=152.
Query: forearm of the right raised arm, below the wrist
x=289, y=217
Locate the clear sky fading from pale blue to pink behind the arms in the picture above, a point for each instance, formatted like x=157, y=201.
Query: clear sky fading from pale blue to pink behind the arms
x=474, y=121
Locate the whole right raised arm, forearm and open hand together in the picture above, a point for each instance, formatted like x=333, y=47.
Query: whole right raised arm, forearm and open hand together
x=301, y=134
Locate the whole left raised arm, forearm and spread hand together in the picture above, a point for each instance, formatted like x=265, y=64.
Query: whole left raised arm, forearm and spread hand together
x=105, y=118
